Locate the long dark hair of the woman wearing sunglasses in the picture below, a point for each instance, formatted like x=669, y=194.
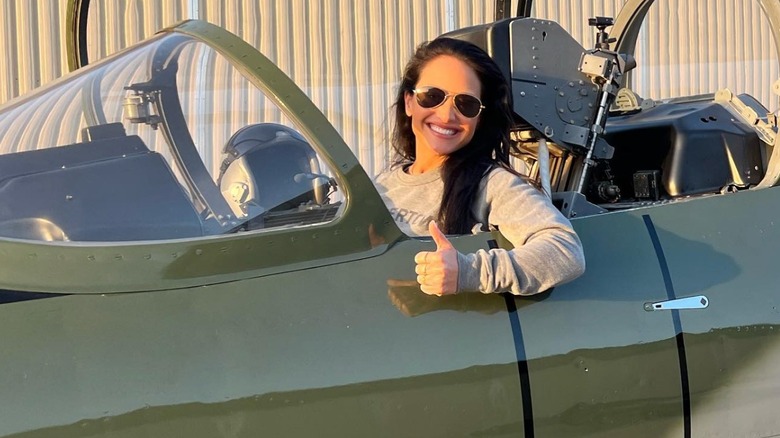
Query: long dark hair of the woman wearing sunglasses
x=490, y=147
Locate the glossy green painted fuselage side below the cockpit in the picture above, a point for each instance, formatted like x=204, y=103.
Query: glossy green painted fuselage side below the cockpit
x=291, y=354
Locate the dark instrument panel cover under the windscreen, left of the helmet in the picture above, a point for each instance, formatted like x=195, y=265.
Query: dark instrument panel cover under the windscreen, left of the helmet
x=112, y=190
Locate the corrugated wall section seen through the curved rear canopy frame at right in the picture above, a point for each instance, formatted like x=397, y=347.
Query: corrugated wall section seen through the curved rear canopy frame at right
x=735, y=48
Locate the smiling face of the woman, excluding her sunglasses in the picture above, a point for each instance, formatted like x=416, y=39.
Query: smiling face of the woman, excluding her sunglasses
x=443, y=130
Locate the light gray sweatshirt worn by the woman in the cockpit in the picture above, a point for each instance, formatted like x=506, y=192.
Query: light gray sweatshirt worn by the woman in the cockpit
x=546, y=251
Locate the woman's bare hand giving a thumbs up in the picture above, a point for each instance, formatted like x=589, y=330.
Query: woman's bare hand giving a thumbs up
x=437, y=271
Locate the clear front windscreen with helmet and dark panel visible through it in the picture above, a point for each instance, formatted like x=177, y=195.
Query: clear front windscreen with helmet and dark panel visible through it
x=150, y=145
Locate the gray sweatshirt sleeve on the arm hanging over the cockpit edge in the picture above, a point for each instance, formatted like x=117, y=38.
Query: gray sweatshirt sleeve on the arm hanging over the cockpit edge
x=546, y=252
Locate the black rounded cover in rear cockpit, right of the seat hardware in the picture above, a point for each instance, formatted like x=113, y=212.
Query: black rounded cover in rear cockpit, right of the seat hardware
x=697, y=146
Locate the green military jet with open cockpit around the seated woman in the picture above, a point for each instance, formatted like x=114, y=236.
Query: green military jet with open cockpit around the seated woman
x=189, y=248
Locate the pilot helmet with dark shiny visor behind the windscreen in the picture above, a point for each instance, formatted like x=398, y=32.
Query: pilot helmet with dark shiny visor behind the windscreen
x=270, y=168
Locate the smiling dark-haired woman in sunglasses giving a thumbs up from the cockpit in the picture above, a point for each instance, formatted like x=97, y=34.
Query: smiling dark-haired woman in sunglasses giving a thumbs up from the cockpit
x=451, y=133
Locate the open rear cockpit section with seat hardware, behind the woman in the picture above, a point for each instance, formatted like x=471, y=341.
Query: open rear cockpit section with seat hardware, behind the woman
x=599, y=146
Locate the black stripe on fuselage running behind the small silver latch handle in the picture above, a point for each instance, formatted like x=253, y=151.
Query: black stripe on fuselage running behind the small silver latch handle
x=686, y=392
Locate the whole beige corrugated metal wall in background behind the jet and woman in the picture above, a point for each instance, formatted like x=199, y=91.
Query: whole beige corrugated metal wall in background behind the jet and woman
x=327, y=44
